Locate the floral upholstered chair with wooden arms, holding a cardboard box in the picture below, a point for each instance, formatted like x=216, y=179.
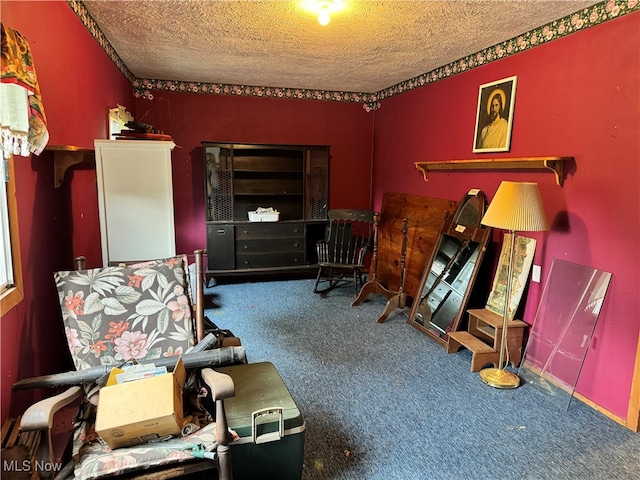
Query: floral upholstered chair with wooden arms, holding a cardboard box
x=144, y=313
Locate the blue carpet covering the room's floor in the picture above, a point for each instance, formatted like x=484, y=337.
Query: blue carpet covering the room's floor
x=383, y=401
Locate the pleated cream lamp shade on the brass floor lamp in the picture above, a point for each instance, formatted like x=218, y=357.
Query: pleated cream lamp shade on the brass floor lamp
x=517, y=206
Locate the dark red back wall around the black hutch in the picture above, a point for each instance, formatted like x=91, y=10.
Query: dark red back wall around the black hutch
x=193, y=118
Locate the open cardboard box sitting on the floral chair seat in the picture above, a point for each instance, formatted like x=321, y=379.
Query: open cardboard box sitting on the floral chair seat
x=136, y=412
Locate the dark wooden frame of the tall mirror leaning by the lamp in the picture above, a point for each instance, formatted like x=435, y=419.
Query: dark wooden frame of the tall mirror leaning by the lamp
x=476, y=233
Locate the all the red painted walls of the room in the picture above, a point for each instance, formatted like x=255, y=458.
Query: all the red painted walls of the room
x=576, y=96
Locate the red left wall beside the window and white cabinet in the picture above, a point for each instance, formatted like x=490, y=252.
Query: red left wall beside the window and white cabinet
x=78, y=83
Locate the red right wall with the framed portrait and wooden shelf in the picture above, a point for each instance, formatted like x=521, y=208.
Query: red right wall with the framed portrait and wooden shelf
x=577, y=96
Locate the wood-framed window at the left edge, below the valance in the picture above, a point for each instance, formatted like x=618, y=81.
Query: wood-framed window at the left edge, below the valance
x=10, y=265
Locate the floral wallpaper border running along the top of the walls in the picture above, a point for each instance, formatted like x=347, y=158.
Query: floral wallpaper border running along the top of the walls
x=588, y=17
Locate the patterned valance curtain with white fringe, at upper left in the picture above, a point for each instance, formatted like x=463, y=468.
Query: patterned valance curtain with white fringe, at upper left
x=23, y=124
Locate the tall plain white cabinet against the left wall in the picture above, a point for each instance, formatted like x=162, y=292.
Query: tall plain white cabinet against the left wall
x=135, y=200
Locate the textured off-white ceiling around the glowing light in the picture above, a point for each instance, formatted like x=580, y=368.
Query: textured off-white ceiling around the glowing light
x=369, y=46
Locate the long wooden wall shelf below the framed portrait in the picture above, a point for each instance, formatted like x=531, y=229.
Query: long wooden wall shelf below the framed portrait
x=555, y=164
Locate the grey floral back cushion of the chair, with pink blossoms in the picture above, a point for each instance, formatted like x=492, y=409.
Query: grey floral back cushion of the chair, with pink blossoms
x=114, y=314
